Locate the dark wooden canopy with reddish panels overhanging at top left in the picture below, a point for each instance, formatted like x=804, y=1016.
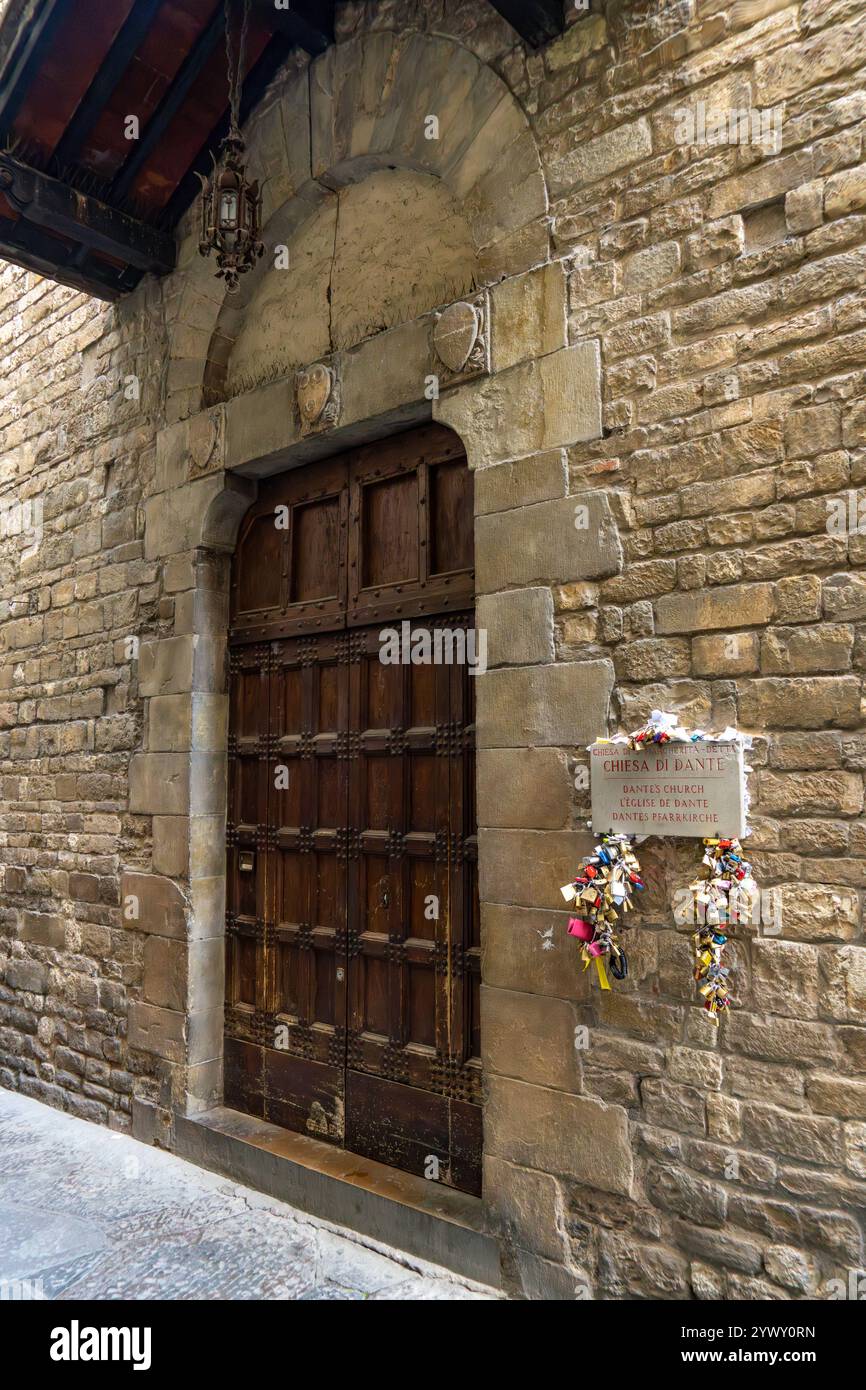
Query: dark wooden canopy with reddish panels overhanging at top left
x=91, y=199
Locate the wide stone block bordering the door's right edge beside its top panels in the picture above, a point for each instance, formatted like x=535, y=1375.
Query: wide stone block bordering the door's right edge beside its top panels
x=546, y=543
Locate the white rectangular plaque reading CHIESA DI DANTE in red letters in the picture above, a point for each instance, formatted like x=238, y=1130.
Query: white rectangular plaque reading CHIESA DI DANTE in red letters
x=669, y=790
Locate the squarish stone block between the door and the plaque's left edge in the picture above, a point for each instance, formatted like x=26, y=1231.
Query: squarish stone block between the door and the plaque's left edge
x=523, y=789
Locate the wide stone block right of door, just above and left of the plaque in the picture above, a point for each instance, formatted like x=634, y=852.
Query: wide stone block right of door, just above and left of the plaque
x=558, y=705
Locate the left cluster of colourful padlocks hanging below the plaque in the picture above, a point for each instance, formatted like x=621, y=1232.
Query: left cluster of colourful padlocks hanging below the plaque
x=603, y=890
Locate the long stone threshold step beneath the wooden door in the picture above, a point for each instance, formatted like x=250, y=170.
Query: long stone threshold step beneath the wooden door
x=418, y=1217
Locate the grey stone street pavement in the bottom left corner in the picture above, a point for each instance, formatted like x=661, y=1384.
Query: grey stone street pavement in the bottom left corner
x=88, y=1214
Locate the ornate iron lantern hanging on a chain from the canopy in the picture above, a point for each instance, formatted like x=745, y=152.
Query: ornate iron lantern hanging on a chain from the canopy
x=231, y=204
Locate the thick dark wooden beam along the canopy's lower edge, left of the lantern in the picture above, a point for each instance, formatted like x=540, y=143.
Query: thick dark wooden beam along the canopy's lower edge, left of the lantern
x=47, y=202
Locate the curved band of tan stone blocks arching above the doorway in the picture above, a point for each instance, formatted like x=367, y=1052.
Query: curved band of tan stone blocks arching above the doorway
x=362, y=109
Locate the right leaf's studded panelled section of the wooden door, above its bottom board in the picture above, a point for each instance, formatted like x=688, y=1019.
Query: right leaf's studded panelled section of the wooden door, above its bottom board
x=409, y=882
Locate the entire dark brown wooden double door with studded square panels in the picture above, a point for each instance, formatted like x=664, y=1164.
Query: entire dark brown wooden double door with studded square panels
x=352, y=925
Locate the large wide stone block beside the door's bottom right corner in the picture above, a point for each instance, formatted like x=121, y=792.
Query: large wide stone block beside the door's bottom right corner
x=558, y=1134
